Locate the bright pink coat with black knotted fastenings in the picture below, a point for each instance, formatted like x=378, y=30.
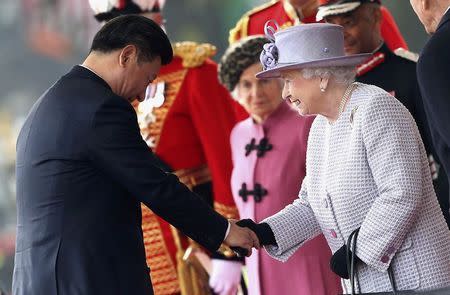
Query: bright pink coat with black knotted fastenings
x=280, y=172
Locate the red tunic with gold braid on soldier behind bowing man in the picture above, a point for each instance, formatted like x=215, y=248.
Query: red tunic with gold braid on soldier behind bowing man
x=189, y=130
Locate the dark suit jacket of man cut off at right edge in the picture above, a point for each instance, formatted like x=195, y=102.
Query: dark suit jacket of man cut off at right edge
x=433, y=72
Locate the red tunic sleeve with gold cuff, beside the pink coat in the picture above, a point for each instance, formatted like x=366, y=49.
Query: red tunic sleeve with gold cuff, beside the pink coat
x=213, y=117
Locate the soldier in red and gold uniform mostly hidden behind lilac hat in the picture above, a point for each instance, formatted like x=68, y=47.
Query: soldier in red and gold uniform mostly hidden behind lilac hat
x=292, y=12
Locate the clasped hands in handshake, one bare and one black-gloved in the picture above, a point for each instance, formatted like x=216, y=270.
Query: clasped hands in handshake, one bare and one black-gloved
x=246, y=234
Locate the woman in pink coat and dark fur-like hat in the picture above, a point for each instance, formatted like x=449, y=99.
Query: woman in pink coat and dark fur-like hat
x=269, y=151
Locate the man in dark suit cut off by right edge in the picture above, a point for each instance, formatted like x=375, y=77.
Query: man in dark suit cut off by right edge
x=433, y=72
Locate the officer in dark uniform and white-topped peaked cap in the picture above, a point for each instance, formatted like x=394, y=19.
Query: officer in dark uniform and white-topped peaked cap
x=394, y=71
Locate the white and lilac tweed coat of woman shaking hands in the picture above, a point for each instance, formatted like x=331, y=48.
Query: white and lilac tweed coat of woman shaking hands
x=369, y=169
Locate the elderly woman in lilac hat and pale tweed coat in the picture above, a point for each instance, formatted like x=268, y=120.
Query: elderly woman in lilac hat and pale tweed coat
x=367, y=186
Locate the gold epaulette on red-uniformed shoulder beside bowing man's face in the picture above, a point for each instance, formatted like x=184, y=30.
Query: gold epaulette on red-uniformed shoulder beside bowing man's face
x=193, y=54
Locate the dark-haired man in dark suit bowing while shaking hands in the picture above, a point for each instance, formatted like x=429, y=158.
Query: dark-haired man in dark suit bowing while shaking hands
x=83, y=169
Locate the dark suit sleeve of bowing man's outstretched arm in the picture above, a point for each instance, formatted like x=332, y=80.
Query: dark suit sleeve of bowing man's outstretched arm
x=118, y=150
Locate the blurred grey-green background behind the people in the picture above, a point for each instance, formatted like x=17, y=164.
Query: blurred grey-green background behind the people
x=41, y=39
